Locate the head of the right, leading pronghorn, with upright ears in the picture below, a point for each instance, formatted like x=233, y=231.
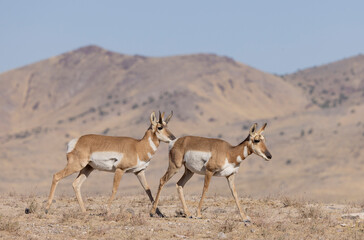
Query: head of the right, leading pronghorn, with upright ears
x=257, y=142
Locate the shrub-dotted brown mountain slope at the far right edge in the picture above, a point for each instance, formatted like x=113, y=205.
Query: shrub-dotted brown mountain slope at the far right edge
x=335, y=84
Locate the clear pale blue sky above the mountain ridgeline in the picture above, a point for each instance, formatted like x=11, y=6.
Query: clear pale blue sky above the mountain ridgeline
x=273, y=36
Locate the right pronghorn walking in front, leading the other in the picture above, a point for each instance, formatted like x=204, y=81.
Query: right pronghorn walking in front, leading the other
x=210, y=157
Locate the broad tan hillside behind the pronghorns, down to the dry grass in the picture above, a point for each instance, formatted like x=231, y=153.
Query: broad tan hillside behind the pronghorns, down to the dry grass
x=92, y=90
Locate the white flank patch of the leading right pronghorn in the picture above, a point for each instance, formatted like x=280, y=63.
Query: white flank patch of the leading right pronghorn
x=196, y=161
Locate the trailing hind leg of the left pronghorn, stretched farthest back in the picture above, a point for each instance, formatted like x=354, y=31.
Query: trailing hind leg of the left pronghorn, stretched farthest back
x=72, y=167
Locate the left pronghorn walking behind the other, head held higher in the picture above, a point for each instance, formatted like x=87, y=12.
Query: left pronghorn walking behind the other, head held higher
x=113, y=154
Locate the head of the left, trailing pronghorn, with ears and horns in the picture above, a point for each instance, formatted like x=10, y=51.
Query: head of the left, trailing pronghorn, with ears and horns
x=160, y=128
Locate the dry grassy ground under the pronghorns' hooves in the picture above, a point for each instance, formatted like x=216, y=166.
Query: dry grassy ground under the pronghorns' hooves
x=282, y=218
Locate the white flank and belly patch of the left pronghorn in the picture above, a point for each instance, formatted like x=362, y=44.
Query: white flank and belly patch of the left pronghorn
x=105, y=161
